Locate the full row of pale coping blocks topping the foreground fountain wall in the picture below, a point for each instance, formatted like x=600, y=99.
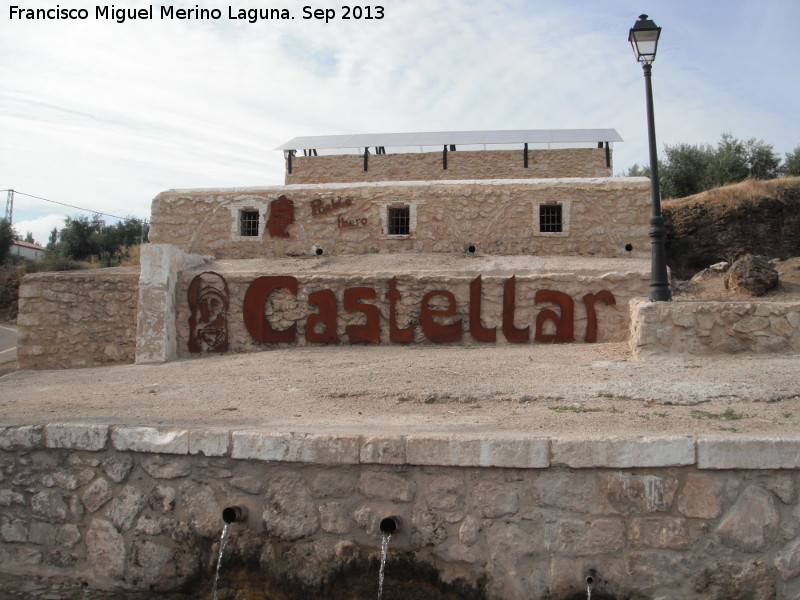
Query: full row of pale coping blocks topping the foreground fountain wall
x=708, y=452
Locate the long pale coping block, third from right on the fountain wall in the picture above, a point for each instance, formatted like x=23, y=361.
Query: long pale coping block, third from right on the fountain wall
x=461, y=451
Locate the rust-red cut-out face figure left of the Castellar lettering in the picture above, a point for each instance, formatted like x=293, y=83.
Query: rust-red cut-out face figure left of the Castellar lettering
x=208, y=299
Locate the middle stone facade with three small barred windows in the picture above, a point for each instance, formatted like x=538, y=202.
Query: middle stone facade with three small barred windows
x=605, y=217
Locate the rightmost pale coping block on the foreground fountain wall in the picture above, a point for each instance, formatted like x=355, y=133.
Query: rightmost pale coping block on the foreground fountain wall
x=748, y=453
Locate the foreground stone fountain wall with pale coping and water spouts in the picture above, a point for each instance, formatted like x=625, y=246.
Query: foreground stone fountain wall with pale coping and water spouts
x=137, y=508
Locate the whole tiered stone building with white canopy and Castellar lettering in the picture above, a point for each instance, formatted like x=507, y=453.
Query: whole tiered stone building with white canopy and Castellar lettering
x=459, y=237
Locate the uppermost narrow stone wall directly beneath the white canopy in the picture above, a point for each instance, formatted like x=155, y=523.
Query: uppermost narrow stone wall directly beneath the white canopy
x=427, y=166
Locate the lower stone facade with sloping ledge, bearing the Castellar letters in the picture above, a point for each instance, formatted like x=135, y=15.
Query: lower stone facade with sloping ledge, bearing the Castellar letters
x=577, y=299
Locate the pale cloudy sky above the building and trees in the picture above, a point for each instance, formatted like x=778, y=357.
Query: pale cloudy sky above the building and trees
x=104, y=115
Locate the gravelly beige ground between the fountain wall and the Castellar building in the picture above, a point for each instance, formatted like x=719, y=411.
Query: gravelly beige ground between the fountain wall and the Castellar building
x=575, y=389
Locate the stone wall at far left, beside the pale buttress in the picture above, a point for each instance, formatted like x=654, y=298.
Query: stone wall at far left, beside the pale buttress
x=77, y=318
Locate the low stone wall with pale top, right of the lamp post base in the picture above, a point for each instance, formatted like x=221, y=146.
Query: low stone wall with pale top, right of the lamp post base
x=714, y=327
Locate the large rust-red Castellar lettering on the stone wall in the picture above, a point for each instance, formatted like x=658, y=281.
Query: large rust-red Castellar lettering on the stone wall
x=321, y=326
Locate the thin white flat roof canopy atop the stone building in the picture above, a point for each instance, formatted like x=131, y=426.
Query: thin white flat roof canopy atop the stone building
x=441, y=138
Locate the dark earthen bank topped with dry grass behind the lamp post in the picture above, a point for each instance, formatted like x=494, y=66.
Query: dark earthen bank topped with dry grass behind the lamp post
x=750, y=217
